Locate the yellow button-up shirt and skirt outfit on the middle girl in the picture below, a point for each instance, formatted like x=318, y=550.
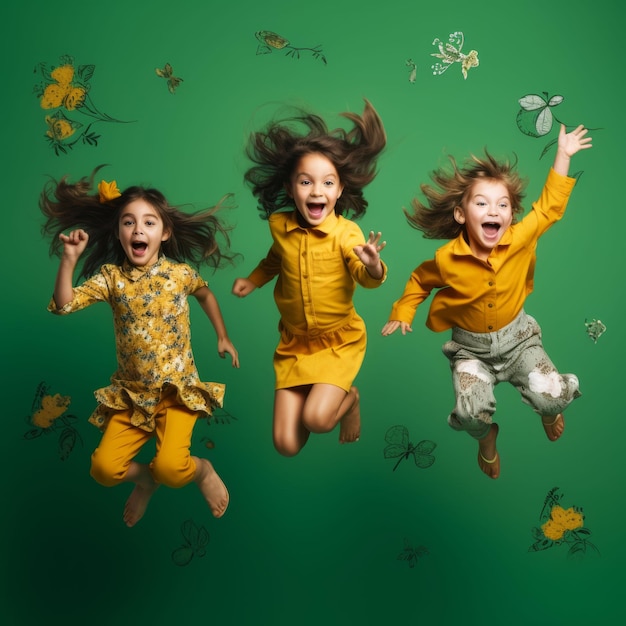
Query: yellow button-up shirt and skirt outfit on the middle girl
x=322, y=338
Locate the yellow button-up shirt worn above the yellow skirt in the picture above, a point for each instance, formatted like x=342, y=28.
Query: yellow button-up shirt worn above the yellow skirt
x=317, y=272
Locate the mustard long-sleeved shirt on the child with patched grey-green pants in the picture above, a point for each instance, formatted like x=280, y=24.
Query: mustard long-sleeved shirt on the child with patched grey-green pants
x=484, y=296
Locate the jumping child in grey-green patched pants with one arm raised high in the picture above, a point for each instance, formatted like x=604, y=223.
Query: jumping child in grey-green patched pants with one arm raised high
x=483, y=276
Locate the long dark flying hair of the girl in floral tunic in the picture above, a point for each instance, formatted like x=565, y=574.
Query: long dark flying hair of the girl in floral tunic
x=199, y=238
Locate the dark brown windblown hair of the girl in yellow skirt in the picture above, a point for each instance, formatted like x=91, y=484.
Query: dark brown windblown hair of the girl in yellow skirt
x=276, y=150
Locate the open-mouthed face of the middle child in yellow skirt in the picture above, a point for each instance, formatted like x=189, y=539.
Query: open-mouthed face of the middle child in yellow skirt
x=315, y=187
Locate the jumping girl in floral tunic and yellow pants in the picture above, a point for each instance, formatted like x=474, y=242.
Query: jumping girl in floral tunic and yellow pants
x=134, y=245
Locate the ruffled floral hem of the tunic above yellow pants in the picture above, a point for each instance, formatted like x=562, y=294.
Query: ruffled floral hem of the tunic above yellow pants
x=201, y=397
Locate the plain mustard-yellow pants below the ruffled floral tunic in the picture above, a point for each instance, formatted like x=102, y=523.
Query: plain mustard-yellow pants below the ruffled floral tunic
x=172, y=464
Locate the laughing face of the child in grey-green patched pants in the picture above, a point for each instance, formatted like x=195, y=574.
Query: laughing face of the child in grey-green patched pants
x=486, y=213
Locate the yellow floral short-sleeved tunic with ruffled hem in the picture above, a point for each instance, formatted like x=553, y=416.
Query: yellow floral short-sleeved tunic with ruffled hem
x=152, y=337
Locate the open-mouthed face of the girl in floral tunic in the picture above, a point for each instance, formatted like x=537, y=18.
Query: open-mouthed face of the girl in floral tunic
x=141, y=231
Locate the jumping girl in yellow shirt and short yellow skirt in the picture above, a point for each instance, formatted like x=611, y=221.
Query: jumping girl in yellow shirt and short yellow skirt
x=319, y=256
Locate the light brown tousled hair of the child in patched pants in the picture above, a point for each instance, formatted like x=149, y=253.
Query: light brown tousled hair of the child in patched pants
x=452, y=187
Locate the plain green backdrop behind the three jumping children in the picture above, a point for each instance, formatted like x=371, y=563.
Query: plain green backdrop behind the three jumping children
x=315, y=539
